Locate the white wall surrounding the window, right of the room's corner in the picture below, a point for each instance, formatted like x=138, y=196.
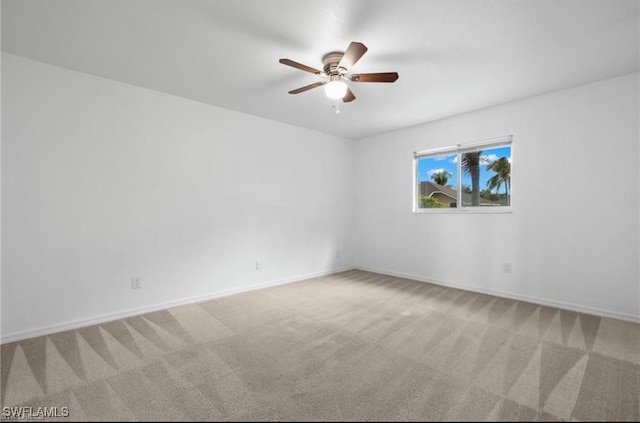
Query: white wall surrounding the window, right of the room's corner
x=573, y=235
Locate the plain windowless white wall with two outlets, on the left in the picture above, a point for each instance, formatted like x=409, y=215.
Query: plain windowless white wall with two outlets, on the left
x=102, y=181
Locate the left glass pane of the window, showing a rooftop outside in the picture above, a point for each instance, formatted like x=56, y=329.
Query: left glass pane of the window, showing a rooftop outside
x=437, y=181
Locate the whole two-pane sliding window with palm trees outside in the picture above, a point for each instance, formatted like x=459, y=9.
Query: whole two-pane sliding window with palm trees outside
x=465, y=176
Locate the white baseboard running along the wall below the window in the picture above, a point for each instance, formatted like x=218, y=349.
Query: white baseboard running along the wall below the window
x=536, y=300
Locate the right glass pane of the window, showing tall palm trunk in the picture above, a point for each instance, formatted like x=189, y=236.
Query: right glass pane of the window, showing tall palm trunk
x=486, y=177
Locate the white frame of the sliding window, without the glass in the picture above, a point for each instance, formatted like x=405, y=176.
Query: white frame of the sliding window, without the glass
x=460, y=149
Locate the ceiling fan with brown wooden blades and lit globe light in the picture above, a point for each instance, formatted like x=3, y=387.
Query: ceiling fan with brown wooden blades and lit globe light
x=337, y=66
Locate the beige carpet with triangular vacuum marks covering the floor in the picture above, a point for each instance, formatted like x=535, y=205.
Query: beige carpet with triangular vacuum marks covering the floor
x=350, y=346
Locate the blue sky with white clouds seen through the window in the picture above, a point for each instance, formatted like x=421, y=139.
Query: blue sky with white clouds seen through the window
x=428, y=166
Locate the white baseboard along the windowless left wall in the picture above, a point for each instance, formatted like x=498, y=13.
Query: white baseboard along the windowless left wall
x=76, y=324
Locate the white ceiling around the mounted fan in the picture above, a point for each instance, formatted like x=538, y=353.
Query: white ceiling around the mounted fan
x=453, y=56
